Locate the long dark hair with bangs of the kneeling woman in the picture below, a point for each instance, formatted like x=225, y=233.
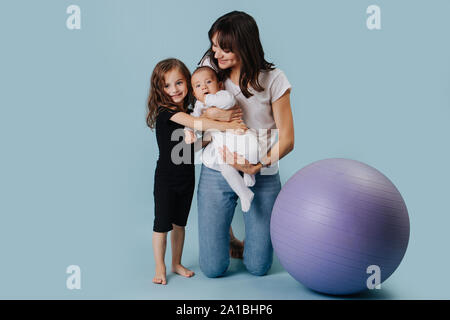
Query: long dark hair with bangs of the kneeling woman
x=237, y=31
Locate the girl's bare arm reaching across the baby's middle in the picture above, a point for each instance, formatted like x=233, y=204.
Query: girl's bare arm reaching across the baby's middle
x=203, y=124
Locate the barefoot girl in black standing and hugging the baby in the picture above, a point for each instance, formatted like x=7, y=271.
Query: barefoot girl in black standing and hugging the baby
x=168, y=102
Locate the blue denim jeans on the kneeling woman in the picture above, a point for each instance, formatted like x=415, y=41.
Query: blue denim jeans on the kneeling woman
x=216, y=204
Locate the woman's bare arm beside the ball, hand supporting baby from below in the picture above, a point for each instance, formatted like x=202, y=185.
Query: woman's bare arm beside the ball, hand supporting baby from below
x=283, y=118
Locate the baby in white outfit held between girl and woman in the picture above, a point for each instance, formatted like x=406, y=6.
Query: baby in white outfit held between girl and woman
x=207, y=91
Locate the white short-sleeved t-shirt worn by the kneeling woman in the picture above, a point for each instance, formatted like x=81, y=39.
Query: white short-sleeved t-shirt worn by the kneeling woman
x=257, y=110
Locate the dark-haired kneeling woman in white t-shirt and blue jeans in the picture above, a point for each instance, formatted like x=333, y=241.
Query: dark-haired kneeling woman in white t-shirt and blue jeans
x=263, y=93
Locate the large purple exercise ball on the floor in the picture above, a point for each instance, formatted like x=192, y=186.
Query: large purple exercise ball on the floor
x=339, y=227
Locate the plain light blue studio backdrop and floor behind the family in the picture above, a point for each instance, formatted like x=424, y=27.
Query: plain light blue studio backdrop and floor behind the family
x=77, y=160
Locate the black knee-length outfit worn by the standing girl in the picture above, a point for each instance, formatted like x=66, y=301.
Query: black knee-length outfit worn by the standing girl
x=174, y=174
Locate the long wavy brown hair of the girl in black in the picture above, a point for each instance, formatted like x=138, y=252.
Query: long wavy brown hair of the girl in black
x=158, y=98
